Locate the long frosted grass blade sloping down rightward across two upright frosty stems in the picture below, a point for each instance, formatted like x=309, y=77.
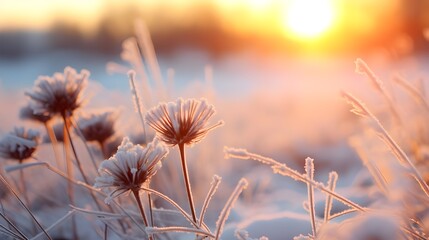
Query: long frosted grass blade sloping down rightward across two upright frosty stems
x=284, y=170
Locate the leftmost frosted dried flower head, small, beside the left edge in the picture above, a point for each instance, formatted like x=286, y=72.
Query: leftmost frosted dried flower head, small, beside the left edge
x=19, y=144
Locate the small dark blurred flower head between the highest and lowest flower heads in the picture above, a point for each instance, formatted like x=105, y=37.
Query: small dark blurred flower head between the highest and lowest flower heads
x=98, y=127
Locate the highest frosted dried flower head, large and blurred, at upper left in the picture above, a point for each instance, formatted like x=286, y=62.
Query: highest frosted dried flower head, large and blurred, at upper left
x=59, y=94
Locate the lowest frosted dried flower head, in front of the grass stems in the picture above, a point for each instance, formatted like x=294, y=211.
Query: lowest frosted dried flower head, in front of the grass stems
x=130, y=167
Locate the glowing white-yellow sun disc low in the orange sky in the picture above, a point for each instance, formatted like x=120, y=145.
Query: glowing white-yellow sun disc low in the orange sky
x=308, y=18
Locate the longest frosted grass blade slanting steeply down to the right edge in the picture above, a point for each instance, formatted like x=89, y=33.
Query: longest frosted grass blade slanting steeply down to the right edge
x=359, y=108
